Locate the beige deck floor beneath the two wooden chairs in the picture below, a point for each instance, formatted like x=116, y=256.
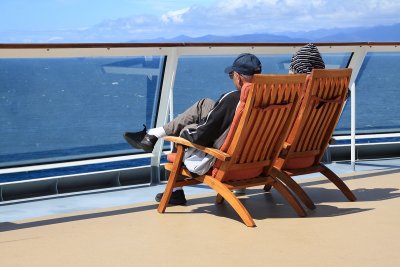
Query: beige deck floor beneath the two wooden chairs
x=337, y=233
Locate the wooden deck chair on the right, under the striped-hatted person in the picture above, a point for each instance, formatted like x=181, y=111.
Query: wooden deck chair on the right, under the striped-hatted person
x=312, y=131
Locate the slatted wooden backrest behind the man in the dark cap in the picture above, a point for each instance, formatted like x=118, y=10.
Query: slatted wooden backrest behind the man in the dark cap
x=260, y=130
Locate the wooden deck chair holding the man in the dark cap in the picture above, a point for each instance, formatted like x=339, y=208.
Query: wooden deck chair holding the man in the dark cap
x=260, y=126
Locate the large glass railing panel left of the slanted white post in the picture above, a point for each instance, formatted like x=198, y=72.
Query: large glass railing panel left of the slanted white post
x=57, y=109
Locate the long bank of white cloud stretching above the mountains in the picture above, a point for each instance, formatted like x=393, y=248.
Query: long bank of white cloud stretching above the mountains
x=236, y=17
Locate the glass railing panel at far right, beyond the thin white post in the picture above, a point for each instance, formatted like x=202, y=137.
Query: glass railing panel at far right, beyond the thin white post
x=377, y=85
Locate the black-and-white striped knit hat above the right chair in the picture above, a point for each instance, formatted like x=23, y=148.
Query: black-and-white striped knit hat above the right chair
x=306, y=59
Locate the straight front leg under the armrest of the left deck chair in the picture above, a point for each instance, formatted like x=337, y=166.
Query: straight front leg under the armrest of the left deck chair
x=171, y=180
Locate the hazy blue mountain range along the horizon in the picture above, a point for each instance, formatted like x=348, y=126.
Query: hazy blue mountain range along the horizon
x=357, y=34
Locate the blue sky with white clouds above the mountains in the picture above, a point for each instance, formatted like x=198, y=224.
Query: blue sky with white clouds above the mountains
x=43, y=21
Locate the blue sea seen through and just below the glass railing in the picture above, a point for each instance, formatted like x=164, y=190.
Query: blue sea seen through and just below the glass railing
x=59, y=109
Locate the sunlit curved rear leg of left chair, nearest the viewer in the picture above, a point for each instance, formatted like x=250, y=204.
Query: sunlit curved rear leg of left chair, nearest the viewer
x=227, y=194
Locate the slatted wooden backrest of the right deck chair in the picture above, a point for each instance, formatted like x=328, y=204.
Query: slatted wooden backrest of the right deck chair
x=318, y=115
